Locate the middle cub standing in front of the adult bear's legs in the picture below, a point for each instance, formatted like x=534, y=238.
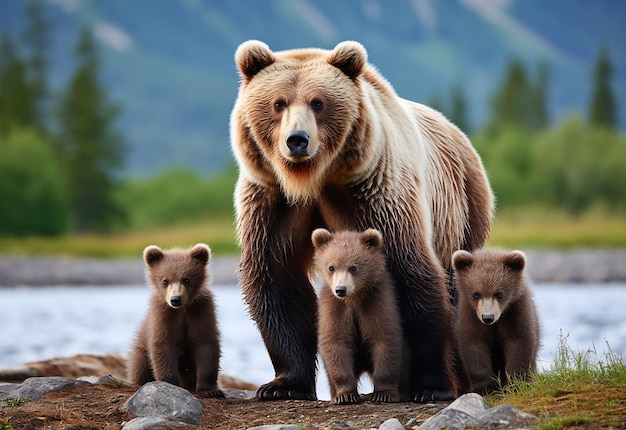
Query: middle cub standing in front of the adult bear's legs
x=359, y=320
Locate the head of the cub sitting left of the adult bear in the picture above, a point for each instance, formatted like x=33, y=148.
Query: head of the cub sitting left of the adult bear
x=177, y=274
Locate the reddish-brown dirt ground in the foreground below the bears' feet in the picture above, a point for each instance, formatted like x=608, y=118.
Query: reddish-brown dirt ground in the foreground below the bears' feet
x=95, y=406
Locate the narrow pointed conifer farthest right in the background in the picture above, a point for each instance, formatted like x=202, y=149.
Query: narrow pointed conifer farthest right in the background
x=603, y=109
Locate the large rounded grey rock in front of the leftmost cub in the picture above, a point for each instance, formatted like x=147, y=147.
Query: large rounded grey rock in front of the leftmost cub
x=161, y=399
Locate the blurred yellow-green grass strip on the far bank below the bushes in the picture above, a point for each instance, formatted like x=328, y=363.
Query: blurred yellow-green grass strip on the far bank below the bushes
x=526, y=228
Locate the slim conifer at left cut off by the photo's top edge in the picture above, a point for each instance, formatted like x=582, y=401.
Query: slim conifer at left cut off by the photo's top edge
x=36, y=41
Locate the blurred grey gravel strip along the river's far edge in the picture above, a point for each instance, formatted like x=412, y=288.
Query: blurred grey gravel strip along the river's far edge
x=551, y=266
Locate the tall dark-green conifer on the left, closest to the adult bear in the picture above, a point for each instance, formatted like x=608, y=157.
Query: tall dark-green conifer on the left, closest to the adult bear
x=90, y=149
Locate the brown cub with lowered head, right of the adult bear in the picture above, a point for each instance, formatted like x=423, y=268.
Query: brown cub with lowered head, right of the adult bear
x=498, y=326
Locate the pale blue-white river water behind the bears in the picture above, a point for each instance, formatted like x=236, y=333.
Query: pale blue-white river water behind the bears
x=46, y=322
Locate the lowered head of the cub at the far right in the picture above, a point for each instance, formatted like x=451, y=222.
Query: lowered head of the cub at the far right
x=489, y=280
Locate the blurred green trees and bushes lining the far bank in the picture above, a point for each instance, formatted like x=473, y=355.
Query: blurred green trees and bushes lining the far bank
x=61, y=155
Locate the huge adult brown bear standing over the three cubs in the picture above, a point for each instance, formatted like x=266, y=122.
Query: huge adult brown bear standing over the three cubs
x=322, y=140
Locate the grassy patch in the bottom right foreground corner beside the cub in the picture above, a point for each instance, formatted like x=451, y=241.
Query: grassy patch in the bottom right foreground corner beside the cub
x=581, y=390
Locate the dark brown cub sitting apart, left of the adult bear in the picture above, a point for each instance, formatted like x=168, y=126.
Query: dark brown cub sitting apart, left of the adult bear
x=178, y=340
